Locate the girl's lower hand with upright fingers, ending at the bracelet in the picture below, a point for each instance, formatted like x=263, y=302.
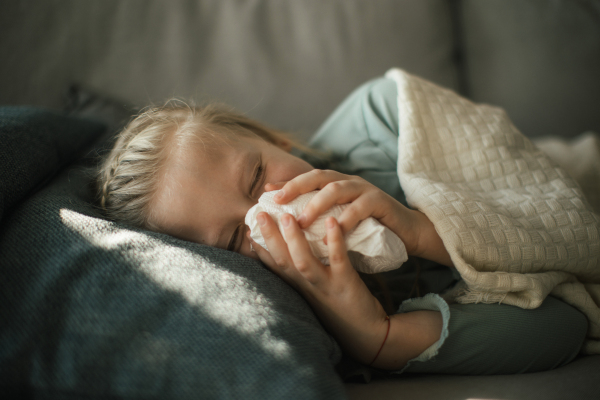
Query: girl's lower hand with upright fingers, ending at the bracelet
x=336, y=293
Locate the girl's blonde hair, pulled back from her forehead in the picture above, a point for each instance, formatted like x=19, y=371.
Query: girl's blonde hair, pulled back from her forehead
x=129, y=176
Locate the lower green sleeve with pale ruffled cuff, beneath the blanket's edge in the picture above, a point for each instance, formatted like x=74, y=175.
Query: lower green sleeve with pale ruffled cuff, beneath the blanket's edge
x=486, y=339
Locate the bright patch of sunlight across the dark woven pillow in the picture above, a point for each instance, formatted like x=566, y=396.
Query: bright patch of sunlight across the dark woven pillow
x=230, y=299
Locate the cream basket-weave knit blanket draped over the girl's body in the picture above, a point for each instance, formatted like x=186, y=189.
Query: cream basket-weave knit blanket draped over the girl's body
x=516, y=225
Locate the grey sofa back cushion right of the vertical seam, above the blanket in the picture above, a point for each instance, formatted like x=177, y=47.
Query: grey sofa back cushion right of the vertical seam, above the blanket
x=540, y=60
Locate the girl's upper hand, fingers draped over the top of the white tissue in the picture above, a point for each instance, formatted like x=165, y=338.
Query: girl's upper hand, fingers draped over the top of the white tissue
x=366, y=200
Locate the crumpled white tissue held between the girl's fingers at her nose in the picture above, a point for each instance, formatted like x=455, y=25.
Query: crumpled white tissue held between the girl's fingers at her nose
x=372, y=247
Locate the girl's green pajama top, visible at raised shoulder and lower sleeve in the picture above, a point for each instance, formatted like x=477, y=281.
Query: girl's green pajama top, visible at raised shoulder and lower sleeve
x=361, y=138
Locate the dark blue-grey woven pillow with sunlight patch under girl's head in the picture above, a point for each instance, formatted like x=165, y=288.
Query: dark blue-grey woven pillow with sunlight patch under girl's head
x=95, y=309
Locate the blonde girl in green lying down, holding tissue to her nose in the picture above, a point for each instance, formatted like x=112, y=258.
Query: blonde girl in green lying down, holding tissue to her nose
x=193, y=173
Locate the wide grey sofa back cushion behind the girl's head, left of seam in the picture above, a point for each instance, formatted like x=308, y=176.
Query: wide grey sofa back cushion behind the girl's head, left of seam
x=287, y=63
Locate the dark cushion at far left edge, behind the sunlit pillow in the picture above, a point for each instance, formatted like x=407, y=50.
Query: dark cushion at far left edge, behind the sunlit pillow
x=36, y=143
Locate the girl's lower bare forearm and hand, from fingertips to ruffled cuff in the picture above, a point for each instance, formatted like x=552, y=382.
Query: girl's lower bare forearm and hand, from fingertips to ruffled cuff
x=342, y=301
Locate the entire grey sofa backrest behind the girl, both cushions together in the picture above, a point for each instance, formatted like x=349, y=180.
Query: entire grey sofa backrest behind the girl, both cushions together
x=289, y=63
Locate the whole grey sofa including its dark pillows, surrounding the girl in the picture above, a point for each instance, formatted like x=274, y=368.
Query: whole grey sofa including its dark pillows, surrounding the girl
x=91, y=308
